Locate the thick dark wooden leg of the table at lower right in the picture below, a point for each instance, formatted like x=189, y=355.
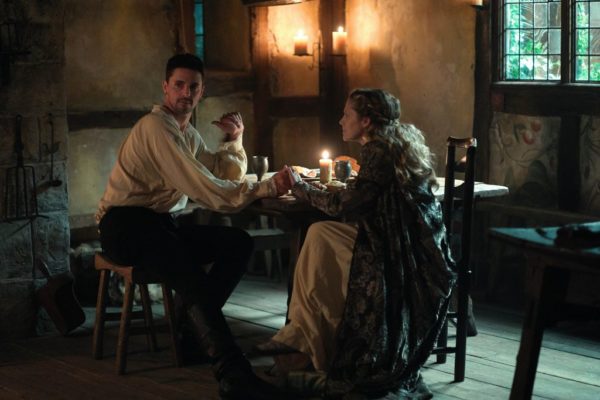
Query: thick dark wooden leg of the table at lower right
x=548, y=288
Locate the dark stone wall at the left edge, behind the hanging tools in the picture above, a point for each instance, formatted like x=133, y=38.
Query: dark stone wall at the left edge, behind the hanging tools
x=35, y=90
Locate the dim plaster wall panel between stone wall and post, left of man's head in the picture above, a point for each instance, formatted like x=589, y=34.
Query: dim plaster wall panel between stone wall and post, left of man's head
x=115, y=52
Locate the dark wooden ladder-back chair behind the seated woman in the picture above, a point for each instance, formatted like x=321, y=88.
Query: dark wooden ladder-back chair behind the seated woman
x=457, y=213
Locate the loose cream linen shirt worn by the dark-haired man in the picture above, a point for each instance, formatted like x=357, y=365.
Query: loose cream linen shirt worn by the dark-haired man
x=159, y=167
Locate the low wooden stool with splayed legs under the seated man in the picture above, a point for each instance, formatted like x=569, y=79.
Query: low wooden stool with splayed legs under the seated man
x=106, y=267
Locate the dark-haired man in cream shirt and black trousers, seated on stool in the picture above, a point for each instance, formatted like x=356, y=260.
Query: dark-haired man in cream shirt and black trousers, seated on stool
x=161, y=163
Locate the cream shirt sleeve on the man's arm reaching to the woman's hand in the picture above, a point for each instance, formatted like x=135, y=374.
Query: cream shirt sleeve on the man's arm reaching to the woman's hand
x=180, y=169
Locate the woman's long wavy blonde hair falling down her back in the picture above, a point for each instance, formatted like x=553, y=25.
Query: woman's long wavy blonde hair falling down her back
x=413, y=160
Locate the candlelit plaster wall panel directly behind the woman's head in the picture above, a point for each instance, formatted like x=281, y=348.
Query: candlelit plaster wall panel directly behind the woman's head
x=423, y=52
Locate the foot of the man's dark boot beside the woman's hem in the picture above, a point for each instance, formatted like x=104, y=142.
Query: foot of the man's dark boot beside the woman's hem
x=245, y=385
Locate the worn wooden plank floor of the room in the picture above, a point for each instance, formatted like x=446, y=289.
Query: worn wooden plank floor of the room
x=55, y=367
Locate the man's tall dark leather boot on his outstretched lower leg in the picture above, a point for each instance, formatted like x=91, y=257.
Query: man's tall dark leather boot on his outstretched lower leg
x=236, y=379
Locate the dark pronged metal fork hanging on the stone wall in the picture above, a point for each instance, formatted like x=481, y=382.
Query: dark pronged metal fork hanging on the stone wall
x=20, y=198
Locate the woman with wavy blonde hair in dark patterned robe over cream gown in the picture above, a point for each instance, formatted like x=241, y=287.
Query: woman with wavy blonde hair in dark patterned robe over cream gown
x=370, y=294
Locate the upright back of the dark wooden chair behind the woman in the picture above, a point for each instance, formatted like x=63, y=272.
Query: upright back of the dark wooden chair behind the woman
x=459, y=198
